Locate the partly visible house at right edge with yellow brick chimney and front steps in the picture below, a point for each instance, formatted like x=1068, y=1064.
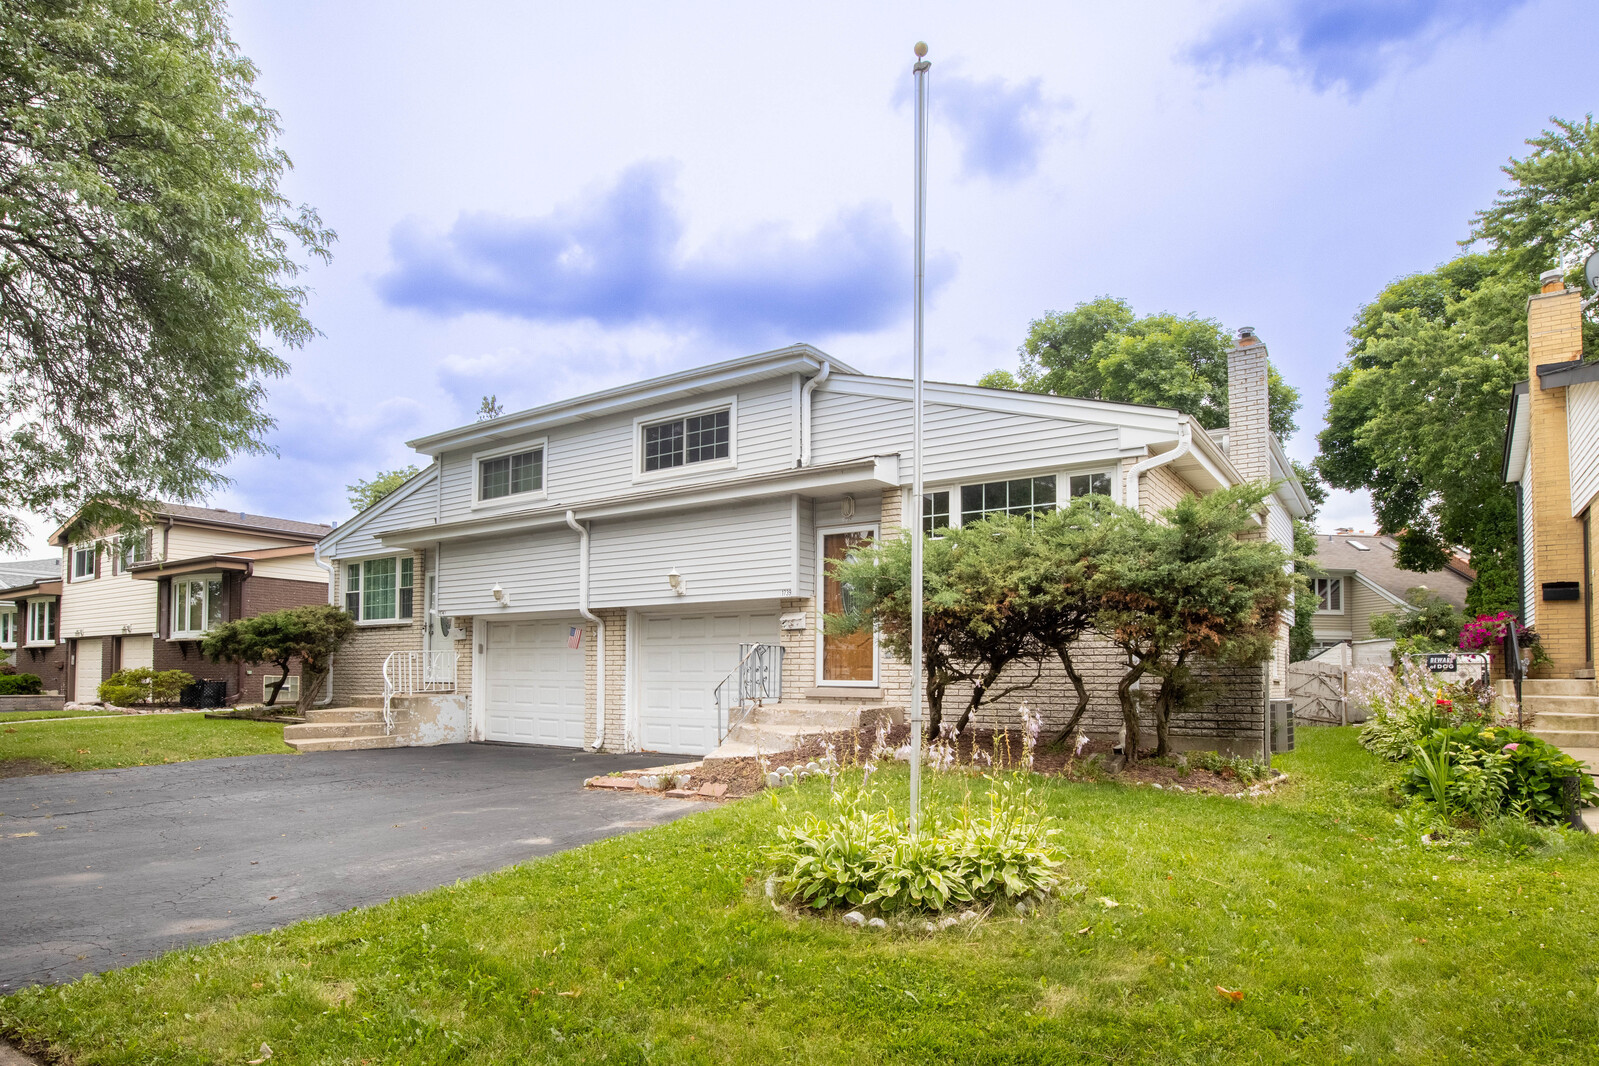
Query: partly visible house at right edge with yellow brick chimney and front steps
x=1552, y=456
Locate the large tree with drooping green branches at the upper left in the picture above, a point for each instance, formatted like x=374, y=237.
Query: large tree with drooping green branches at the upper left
x=146, y=255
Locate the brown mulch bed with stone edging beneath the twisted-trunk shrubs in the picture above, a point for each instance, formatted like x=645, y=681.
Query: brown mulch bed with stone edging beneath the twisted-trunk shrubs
x=979, y=750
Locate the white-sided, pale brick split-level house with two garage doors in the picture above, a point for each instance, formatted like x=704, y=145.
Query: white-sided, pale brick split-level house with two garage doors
x=634, y=568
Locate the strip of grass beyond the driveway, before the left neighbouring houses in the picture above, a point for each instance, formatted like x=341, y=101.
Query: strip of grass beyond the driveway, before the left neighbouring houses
x=102, y=744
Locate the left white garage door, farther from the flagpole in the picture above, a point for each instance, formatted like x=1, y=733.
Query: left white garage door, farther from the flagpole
x=535, y=691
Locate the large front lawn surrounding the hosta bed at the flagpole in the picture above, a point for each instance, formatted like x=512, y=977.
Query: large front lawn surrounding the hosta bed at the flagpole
x=1350, y=941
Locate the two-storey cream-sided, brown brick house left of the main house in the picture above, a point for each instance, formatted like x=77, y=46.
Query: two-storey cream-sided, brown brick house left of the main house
x=150, y=599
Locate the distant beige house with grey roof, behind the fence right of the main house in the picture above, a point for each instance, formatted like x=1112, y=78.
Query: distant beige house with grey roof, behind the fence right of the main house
x=1358, y=579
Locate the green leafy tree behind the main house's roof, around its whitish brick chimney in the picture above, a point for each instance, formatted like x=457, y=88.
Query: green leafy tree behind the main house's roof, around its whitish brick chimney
x=1103, y=351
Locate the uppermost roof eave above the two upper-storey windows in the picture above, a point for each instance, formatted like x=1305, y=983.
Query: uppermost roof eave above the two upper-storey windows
x=799, y=359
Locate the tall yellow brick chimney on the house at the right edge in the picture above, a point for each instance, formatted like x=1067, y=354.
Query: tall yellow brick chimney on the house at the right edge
x=1555, y=335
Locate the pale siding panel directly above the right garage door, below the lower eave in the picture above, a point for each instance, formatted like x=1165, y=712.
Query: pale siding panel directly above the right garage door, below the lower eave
x=735, y=552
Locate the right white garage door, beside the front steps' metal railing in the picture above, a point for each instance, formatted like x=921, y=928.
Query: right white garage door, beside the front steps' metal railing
x=682, y=659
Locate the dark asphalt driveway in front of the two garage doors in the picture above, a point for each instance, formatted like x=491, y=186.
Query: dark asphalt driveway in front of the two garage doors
x=105, y=869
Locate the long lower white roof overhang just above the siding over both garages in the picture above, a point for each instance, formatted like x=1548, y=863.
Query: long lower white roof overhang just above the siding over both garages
x=871, y=474
